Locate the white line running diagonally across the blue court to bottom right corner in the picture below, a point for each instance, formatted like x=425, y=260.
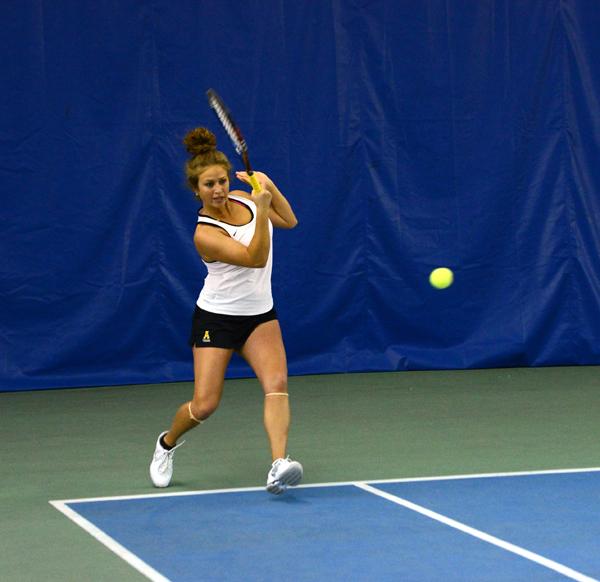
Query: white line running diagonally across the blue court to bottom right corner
x=490, y=539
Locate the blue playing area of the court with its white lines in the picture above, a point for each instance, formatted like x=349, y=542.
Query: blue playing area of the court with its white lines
x=535, y=526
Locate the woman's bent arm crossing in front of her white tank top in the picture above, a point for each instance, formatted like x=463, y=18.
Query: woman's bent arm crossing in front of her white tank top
x=213, y=244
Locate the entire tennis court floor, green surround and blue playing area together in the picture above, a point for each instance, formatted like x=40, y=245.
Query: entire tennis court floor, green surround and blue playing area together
x=379, y=500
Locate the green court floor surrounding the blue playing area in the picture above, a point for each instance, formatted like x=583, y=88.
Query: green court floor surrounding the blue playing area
x=96, y=443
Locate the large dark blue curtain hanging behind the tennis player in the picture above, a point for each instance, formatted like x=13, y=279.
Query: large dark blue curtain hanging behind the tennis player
x=407, y=135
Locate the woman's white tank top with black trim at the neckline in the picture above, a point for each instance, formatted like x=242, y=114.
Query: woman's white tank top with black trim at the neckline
x=233, y=290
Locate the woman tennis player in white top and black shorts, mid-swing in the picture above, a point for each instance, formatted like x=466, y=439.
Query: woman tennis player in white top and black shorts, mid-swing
x=234, y=311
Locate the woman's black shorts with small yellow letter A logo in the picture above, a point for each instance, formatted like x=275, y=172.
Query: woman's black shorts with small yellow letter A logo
x=215, y=330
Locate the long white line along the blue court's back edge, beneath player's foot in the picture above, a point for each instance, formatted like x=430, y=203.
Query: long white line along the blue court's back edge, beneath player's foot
x=330, y=484
